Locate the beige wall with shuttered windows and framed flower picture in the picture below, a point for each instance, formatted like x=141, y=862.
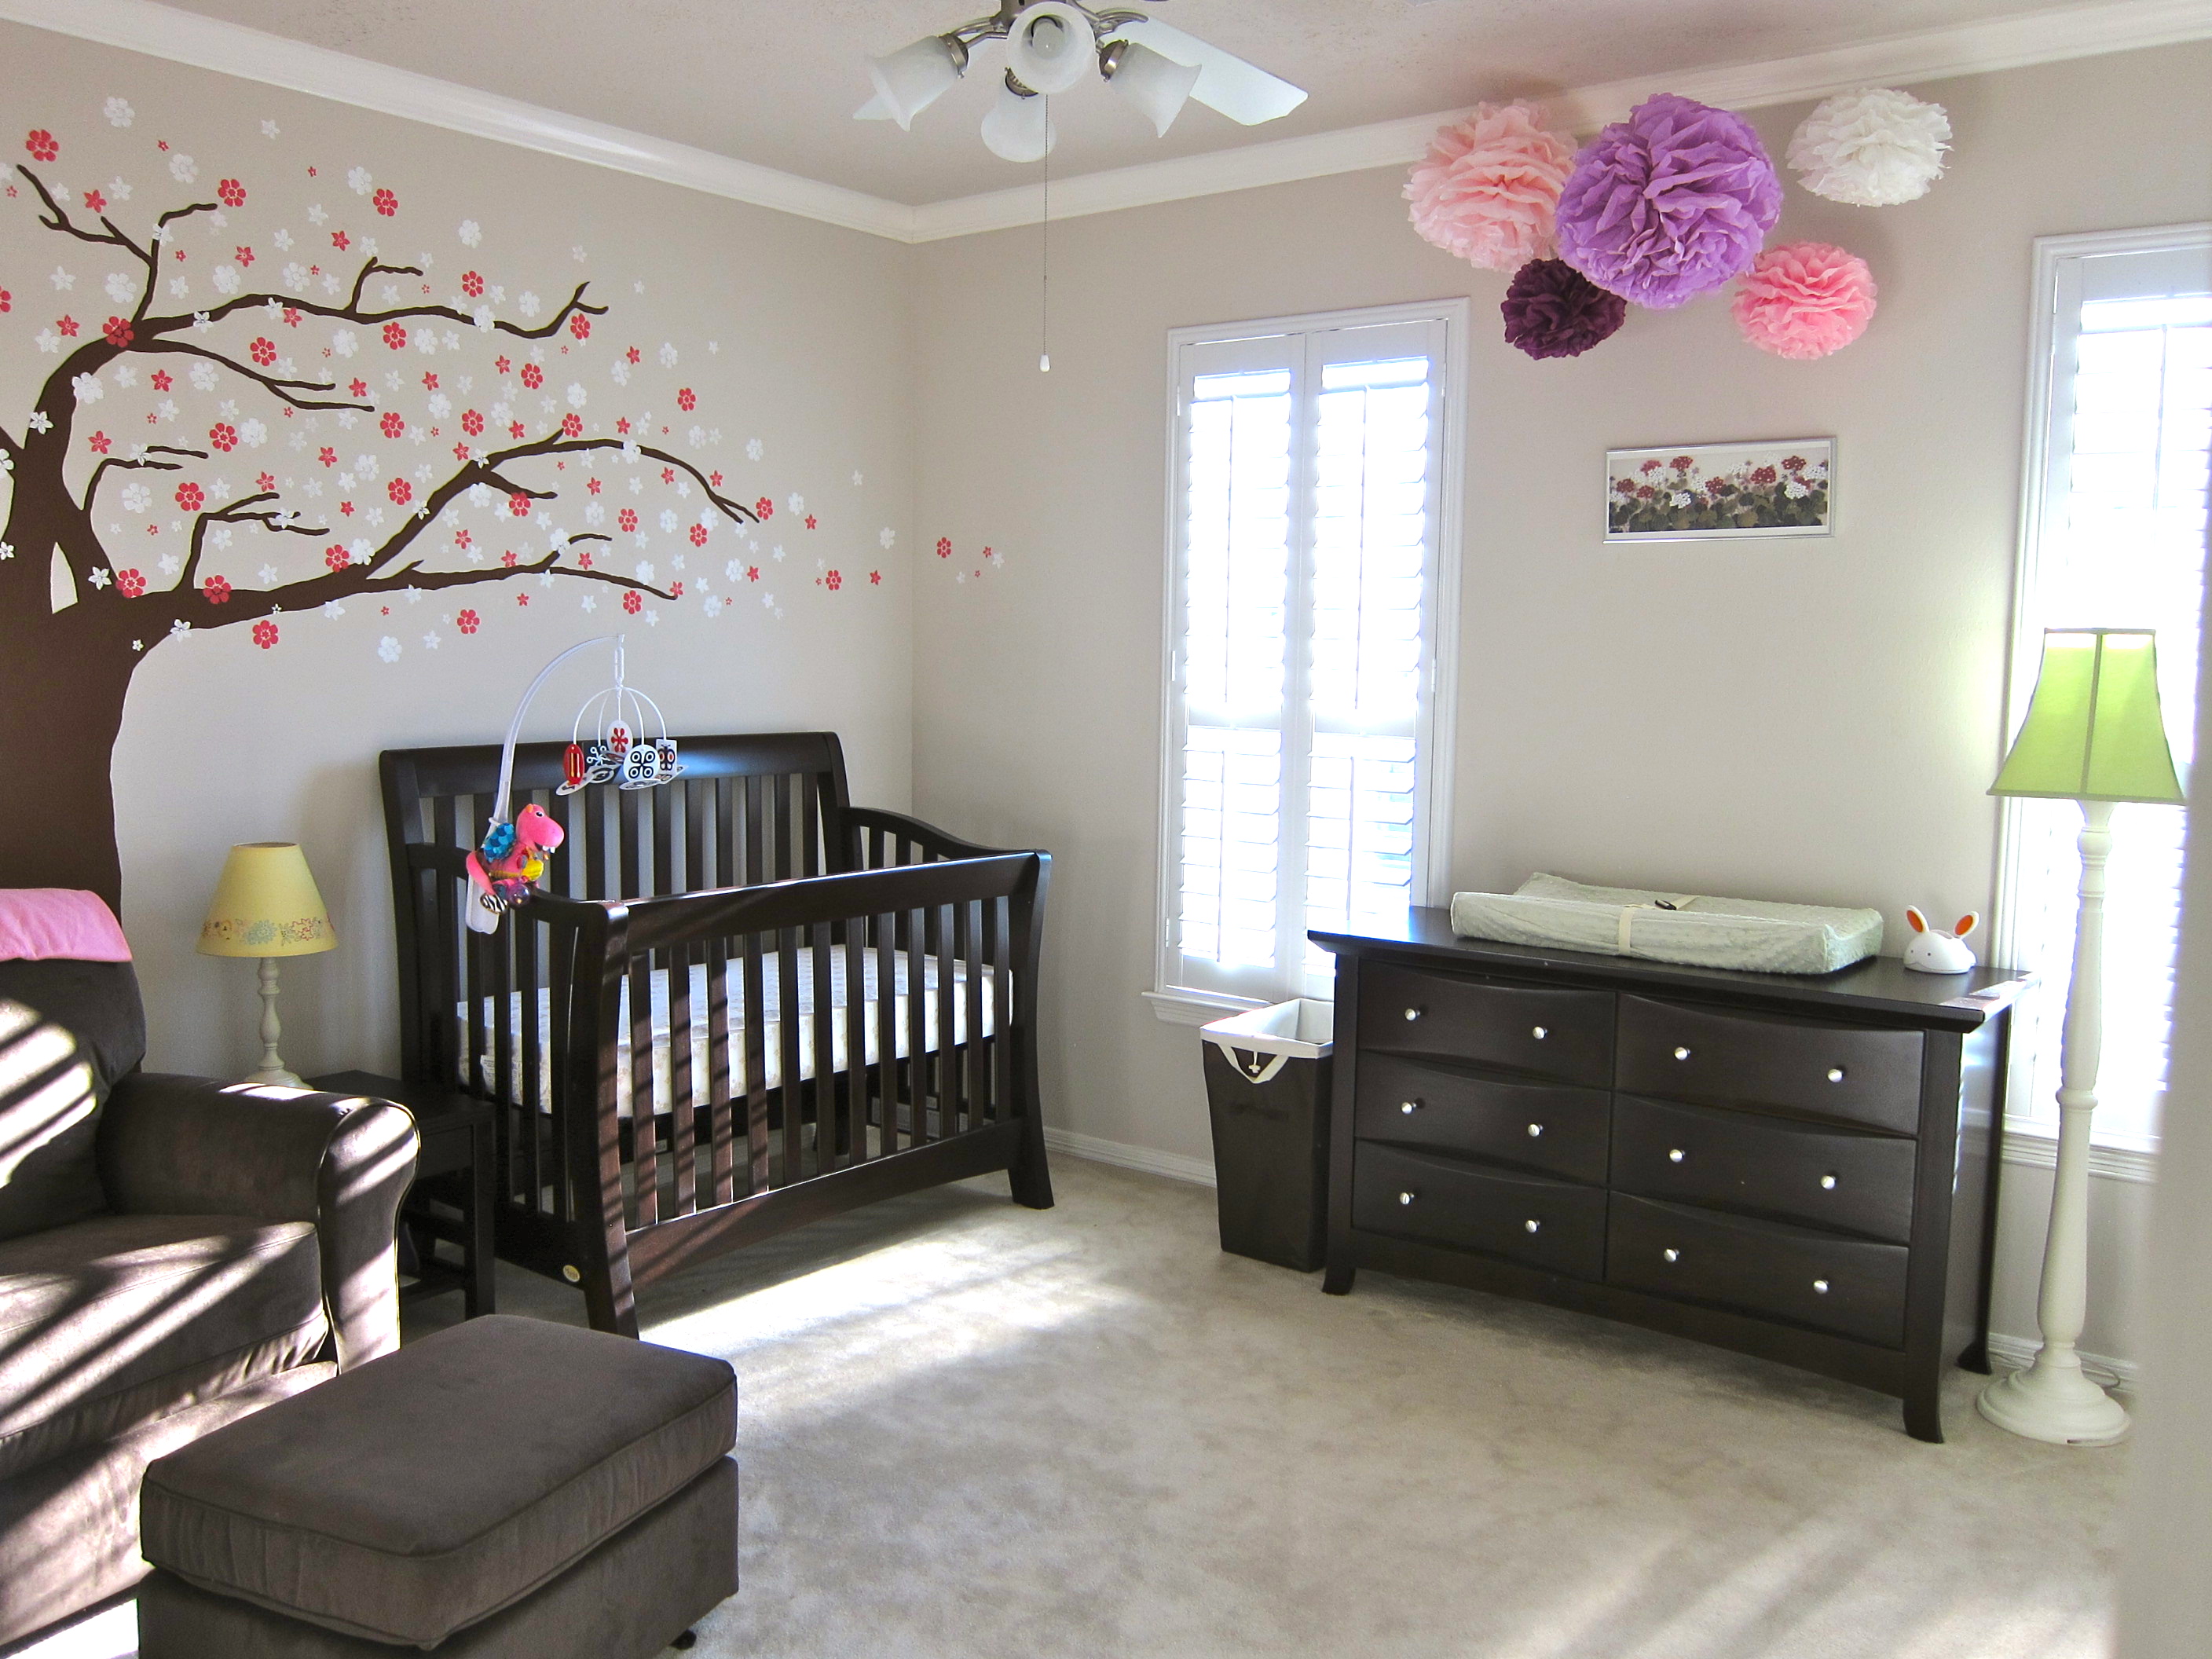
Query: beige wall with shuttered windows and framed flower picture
x=1797, y=720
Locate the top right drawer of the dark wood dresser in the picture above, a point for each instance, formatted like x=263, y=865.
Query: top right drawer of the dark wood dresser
x=1713, y=1058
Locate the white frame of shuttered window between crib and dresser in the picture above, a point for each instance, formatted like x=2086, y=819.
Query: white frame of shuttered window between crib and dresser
x=1434, y=731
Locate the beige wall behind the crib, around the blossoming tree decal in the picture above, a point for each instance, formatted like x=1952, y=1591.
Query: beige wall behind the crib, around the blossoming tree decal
x=225, y=742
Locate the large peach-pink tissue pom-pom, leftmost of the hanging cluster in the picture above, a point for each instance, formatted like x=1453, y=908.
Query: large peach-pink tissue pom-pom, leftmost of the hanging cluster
x=1490, y=187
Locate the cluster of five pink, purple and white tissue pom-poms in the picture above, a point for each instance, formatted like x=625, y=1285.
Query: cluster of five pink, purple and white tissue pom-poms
x=1667, y=207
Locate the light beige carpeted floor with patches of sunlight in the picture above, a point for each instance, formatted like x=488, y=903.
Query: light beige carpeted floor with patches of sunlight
x=988, y=1432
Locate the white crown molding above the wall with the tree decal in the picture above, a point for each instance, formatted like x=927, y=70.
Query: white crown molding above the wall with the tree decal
x=273, y=61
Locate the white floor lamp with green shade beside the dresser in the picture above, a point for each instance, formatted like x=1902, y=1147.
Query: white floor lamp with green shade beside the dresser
x=2094, y=735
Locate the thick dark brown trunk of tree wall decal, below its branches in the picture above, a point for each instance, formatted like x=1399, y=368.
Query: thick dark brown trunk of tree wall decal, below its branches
x=61, y=709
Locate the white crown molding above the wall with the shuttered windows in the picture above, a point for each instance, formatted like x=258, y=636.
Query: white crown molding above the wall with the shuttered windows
x=1930, y=54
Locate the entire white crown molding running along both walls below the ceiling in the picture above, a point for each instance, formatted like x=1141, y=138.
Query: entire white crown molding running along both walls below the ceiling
x=253, y=54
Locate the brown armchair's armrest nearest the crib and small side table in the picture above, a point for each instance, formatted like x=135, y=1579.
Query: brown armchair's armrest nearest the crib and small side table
x=344, y=1162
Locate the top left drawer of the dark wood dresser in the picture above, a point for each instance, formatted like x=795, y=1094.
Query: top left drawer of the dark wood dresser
x=1521, y=1032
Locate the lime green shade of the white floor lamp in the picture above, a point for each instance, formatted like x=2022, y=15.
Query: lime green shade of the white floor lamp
x=2094, y=729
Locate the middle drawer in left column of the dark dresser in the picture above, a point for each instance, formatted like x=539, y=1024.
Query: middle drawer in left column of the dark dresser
x=1538, y=1127
